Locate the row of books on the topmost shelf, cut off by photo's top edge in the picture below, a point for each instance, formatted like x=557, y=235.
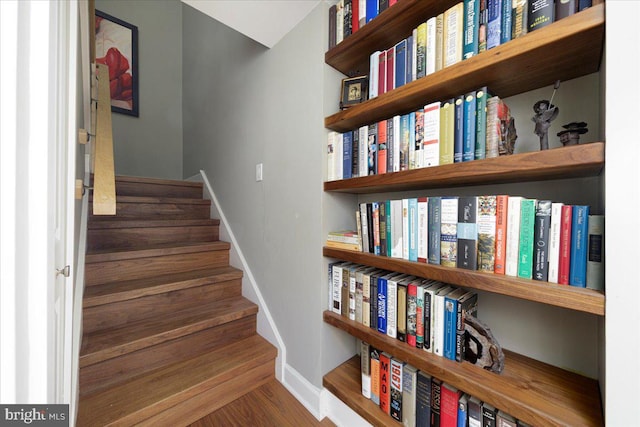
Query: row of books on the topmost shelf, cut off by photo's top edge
x=348, y=16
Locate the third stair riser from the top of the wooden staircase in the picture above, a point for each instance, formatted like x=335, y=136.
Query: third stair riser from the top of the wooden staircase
x=132, y=238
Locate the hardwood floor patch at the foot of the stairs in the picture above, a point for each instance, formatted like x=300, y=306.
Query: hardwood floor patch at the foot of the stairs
x=270, y=405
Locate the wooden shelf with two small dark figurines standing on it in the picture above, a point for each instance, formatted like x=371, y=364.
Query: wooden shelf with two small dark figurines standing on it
x=557, y=163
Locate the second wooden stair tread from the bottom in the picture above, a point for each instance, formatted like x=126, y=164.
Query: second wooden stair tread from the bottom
x=104, y=344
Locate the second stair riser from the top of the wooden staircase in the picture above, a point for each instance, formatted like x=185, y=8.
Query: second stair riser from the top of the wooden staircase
x=154, y=211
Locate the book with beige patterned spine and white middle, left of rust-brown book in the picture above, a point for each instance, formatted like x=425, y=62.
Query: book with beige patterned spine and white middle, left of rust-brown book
x=486, y=221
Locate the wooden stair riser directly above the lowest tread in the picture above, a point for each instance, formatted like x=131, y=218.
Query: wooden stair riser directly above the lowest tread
x=113, y=371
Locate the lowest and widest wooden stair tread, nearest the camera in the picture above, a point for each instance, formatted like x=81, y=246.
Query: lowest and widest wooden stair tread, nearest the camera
x=139, y=398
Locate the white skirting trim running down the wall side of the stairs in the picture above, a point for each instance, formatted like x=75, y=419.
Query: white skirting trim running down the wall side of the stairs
x=266, y=326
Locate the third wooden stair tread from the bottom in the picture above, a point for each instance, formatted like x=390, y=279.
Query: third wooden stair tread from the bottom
x=136, y=288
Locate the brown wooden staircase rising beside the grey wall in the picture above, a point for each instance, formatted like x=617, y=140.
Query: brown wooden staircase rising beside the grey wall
x=167, y=336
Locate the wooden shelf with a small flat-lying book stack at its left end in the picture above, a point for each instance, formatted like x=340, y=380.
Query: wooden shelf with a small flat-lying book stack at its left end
x=570, y=297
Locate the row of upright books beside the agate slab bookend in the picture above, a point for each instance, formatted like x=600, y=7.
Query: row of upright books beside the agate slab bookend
x=425, y=314
